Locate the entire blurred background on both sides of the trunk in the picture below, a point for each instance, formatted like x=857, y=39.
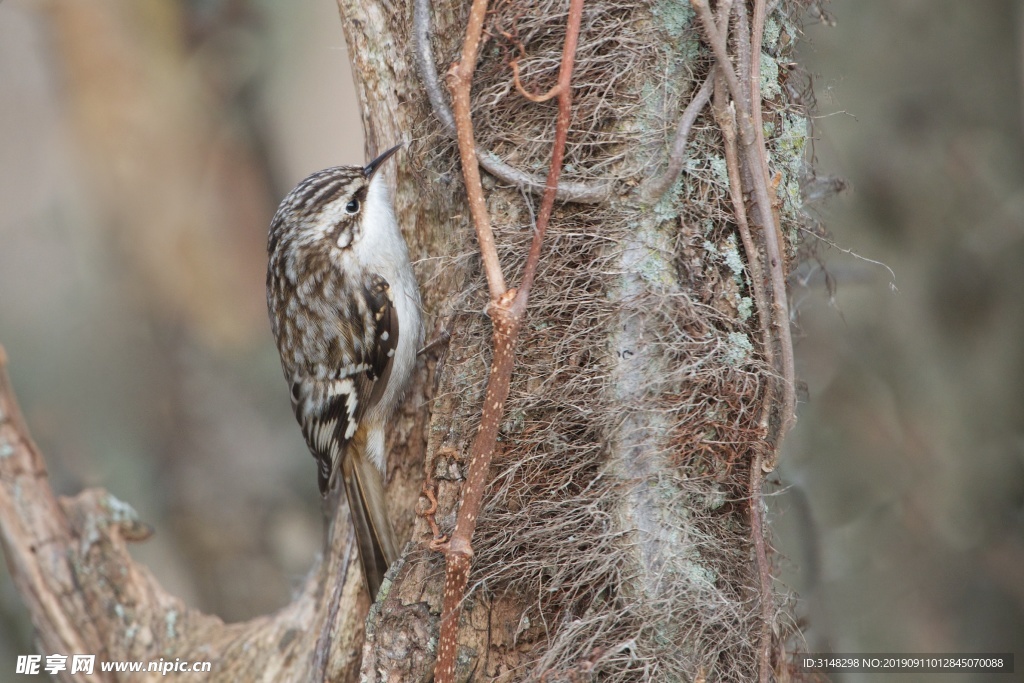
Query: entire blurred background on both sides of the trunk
x=145, y=146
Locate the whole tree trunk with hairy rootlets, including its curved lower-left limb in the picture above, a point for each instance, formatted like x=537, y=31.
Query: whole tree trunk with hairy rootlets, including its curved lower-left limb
x=620, y=538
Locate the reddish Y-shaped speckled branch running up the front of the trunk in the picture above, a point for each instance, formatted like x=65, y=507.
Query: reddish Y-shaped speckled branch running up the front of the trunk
x=506, y=310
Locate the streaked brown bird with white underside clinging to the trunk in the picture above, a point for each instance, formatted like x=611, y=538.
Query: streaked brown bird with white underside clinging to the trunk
x=346, y=313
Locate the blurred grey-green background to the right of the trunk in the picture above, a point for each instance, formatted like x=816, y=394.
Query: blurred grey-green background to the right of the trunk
x=903, y=522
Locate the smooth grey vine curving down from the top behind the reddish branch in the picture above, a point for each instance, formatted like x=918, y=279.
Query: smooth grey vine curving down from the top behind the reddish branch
x=581, y=193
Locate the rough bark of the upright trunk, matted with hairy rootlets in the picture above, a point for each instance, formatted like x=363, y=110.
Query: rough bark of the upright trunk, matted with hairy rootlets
x=673, y=448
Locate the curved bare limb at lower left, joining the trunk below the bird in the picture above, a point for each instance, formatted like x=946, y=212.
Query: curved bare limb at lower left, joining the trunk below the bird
x=69, y=559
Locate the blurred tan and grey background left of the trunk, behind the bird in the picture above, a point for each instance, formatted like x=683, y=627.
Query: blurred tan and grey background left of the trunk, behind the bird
x=145, y=146
